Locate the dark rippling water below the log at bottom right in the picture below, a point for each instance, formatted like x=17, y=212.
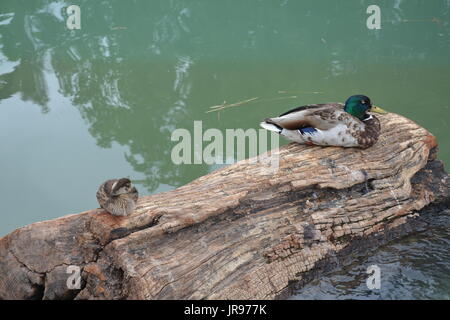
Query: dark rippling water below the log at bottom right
x=415, y=267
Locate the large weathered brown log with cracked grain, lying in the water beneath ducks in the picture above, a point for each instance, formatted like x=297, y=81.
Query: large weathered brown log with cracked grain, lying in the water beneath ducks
x=241, y=231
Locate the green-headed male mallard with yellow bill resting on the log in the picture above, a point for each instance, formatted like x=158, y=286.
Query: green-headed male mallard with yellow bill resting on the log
x=330, y=124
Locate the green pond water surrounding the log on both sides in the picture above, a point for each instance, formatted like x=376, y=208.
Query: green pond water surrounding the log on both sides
x=81, y=106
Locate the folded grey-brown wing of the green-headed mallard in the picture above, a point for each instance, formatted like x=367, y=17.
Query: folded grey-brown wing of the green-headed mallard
x=319, y=116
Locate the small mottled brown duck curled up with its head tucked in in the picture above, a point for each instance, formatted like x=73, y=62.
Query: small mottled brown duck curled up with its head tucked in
x=117, y=196
